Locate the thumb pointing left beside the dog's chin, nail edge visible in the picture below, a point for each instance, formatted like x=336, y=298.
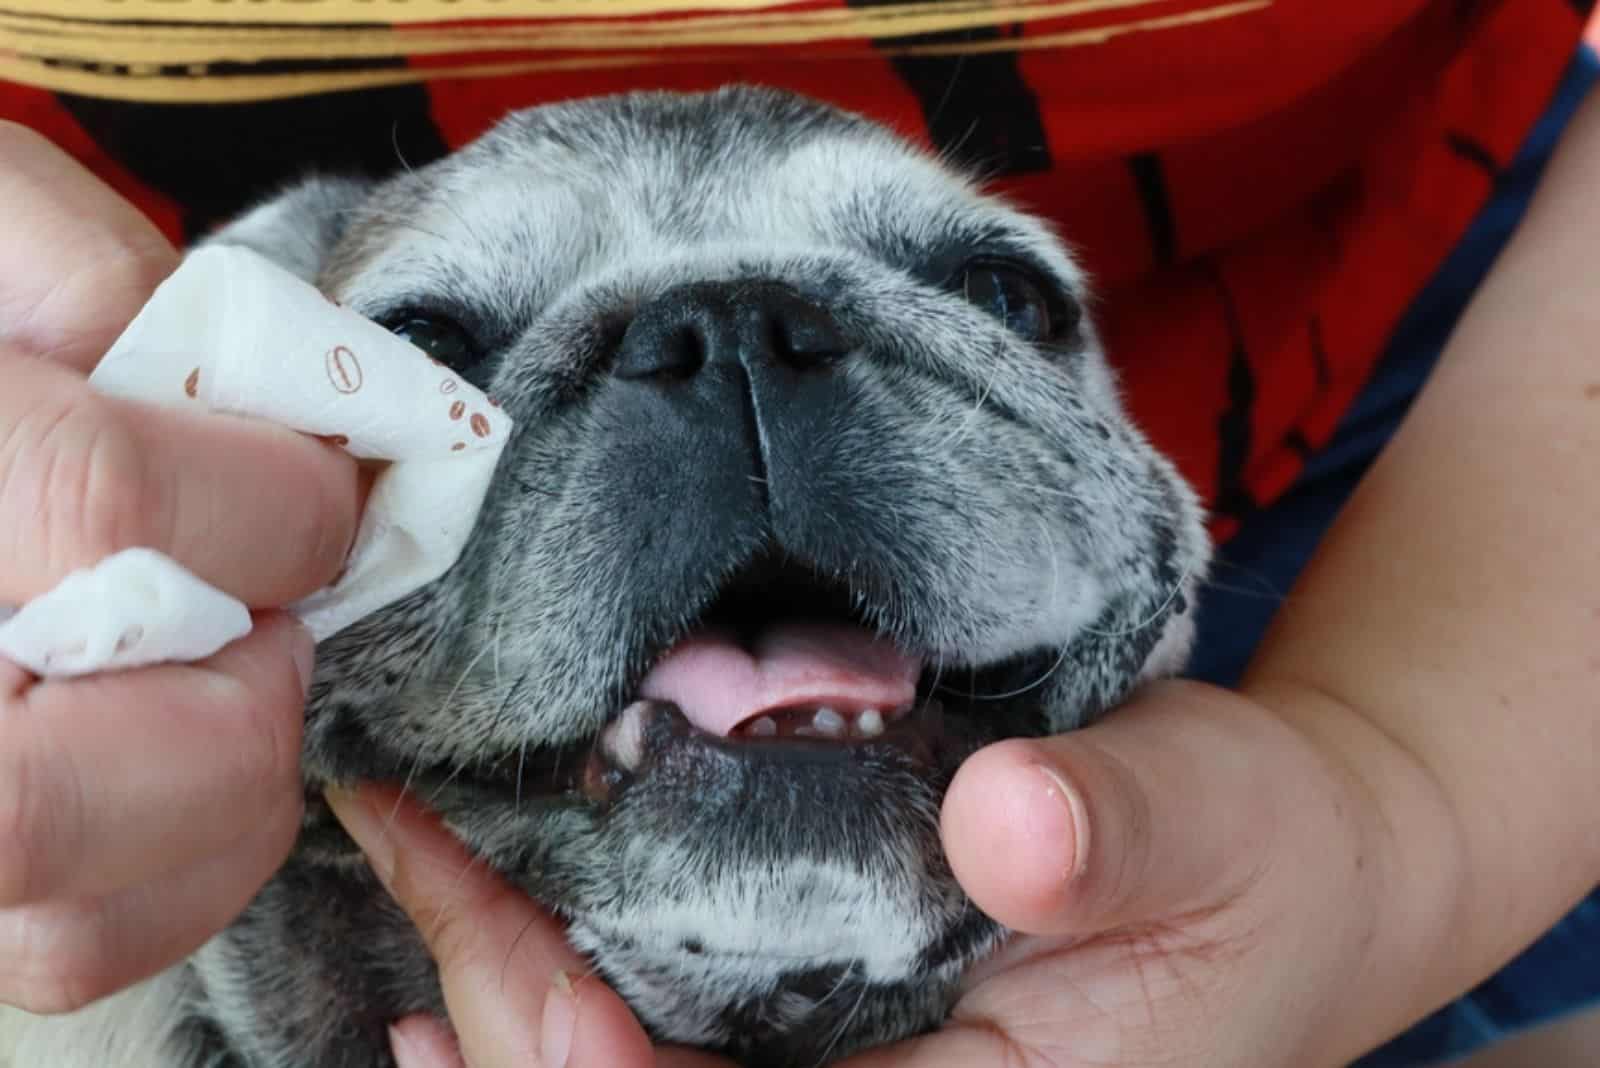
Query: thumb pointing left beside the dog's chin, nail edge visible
x=1166, y=808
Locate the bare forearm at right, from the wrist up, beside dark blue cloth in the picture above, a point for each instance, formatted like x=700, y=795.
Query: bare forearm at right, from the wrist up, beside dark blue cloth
x=1447, y=636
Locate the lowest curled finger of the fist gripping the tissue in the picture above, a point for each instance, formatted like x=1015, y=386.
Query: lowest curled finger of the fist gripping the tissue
x=62, y=957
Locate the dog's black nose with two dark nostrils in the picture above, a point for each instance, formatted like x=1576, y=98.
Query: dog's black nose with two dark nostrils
x=705, y=324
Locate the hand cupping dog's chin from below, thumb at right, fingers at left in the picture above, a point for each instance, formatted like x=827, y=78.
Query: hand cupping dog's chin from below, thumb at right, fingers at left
x=1201, y=880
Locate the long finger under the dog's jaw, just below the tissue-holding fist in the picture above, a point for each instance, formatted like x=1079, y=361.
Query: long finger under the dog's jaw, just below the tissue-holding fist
x=516, y=990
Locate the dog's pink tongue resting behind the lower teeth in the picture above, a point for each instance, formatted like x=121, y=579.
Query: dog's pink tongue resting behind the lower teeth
x=719, y=683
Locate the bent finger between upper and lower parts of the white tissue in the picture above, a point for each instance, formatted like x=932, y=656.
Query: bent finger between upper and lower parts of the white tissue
x=257, y=511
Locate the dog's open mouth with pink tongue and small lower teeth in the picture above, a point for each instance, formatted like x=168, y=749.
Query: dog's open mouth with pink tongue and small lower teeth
x=791, y=666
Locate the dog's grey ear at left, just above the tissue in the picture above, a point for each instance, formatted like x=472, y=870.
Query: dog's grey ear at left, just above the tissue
x=300, y=226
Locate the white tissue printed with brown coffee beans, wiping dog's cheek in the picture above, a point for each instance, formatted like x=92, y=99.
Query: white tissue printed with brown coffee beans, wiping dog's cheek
x=233, y=333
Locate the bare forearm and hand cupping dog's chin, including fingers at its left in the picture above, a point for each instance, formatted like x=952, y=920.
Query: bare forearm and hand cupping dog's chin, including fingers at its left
x=1390, y=808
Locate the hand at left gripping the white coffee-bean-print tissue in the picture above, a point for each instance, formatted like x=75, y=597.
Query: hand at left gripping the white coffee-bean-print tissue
x=138, y=811
